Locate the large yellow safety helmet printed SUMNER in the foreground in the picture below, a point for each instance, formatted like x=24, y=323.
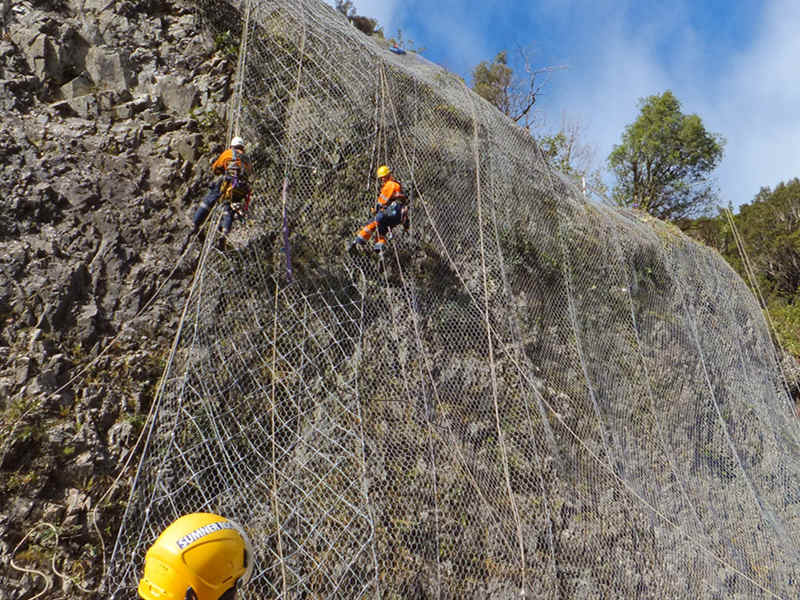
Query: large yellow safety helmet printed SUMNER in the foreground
x=201, y=556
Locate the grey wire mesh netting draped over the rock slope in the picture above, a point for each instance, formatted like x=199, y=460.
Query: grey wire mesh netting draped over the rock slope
x=527, y=395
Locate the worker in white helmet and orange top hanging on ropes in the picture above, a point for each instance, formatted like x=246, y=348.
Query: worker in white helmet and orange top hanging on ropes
x=235, y=168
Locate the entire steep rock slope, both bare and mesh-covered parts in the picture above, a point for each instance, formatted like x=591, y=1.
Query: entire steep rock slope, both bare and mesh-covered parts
x=111, y=113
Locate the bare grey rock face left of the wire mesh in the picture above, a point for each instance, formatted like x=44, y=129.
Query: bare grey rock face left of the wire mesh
x=109, y=114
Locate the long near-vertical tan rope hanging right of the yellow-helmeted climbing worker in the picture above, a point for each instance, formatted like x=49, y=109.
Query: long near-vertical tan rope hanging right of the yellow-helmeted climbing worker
x=489, y=337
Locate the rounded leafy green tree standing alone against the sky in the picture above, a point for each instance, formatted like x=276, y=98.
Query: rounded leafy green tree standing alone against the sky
x=664, y=162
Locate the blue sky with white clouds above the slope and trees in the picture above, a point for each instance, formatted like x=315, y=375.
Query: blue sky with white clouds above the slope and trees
x=734, y=63
